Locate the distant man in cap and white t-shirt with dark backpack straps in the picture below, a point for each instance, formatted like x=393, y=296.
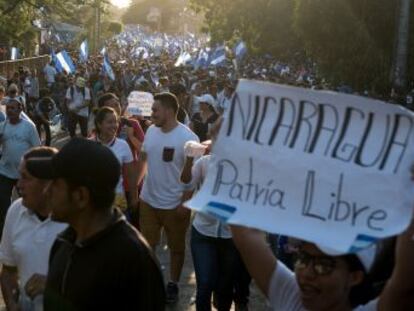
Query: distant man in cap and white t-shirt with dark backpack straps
x=78, y=98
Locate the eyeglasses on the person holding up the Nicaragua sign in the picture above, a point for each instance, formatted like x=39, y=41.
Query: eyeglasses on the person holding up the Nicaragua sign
x=321, y=265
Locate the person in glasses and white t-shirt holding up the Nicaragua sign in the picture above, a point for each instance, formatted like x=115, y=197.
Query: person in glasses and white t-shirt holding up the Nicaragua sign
x=321, y=282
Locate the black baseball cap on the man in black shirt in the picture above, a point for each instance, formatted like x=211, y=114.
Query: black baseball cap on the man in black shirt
x=81, y=162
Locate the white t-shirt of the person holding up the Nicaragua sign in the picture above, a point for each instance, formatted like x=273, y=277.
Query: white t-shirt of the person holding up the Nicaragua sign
x=284, y=292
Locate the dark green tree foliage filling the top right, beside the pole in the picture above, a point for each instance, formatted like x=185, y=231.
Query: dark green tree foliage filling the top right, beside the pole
x=352, y=41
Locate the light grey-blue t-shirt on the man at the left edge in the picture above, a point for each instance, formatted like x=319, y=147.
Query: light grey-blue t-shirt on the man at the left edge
x=16, y=140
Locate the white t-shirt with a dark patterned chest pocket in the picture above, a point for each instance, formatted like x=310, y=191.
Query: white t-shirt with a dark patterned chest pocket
x=162, y=187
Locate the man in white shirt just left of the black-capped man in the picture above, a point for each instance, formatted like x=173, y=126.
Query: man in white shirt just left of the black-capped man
x=27, y=239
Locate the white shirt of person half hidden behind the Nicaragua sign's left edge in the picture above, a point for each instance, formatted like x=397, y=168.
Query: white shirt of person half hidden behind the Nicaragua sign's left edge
x=206, y=224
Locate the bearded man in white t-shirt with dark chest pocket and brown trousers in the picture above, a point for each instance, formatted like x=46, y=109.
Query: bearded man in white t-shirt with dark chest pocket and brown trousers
x=162, y=159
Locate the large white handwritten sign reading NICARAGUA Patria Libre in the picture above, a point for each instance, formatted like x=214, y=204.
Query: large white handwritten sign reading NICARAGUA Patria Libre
x=328, y=168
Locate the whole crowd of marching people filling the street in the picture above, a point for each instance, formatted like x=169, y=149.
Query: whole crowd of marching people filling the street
x=80, y=226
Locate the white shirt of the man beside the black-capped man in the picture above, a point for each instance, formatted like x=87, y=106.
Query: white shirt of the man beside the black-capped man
x=26, y=243
